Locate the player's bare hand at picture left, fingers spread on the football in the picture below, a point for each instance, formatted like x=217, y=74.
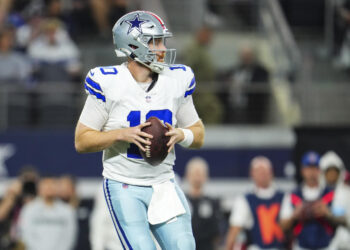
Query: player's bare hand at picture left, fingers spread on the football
x=136, y=136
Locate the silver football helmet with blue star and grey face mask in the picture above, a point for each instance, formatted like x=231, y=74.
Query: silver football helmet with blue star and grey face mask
x=133, y=33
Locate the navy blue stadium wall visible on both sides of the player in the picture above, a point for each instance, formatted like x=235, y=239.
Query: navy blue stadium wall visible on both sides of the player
x=52, y=152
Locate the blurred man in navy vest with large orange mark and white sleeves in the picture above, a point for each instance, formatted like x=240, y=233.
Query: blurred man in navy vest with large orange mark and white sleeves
x=257, y=212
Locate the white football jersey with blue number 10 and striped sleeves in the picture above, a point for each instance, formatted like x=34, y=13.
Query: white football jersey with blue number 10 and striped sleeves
x=126, y=104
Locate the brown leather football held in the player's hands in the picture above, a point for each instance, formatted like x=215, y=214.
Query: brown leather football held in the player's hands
x=158, y=150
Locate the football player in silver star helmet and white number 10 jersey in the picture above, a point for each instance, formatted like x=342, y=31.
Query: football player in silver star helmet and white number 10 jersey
x=141, y=197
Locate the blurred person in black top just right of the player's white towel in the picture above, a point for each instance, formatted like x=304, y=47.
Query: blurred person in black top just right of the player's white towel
x=206, y=212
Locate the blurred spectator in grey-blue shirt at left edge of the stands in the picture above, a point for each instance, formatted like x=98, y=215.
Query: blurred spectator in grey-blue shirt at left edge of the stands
x=14, y=66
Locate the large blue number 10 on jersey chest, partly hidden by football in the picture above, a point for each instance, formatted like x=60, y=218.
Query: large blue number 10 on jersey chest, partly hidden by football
x=134, y=118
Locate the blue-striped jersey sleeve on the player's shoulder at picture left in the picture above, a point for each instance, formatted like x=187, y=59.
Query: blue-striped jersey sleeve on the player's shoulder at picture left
x=93, y=85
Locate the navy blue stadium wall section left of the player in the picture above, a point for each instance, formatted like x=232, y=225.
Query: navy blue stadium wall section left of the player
x=52, y=152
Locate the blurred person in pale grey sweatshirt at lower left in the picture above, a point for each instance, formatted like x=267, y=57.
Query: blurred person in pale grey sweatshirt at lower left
x=47, y=223
